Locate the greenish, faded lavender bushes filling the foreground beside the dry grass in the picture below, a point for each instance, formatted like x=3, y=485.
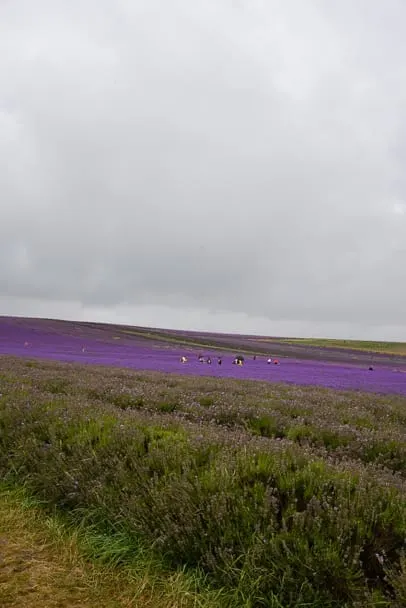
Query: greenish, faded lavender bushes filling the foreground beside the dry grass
x=276, y=496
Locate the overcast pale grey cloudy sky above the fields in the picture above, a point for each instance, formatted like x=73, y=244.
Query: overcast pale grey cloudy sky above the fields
x=207, y=164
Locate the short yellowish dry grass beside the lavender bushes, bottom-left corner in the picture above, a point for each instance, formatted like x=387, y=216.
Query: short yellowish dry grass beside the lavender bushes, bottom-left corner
x=45, y=564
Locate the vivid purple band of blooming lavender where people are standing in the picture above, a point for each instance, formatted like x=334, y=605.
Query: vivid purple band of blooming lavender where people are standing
x=67, y=342
